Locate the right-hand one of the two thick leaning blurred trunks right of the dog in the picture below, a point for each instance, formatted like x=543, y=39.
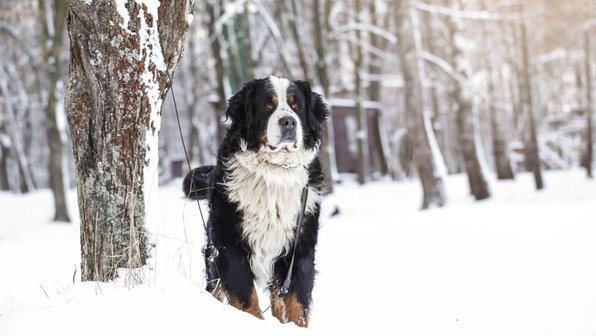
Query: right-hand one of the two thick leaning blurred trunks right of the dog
x=460, y=96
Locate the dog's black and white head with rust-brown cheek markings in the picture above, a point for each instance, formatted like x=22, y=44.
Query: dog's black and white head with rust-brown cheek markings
x=277, y=114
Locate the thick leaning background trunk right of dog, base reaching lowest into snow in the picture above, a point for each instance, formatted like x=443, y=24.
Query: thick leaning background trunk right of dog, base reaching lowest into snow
x=424, y=160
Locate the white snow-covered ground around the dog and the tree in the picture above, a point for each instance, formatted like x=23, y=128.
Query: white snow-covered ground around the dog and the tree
x=521, y=263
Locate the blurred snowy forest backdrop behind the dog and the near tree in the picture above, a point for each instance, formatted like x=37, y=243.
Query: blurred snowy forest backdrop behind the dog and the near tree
x=417, y=89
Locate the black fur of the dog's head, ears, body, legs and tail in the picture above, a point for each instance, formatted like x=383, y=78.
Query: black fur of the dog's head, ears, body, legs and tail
x=227, y=254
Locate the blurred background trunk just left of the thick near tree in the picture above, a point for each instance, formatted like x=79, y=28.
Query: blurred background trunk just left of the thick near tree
x=53, y=18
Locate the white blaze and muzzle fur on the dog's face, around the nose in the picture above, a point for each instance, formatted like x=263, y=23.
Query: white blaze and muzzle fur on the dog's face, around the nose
x=283, y=109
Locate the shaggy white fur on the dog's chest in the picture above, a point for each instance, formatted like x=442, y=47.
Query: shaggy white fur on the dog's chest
x=269, y=197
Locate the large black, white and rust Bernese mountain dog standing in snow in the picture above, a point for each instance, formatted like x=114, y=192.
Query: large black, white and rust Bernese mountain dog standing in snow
x=267, y=163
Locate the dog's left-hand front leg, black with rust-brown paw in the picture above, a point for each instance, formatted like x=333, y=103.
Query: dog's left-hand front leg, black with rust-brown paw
x=230, y=278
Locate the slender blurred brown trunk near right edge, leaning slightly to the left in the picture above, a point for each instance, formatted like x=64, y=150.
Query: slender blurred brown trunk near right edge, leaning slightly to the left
x=531, y=141
